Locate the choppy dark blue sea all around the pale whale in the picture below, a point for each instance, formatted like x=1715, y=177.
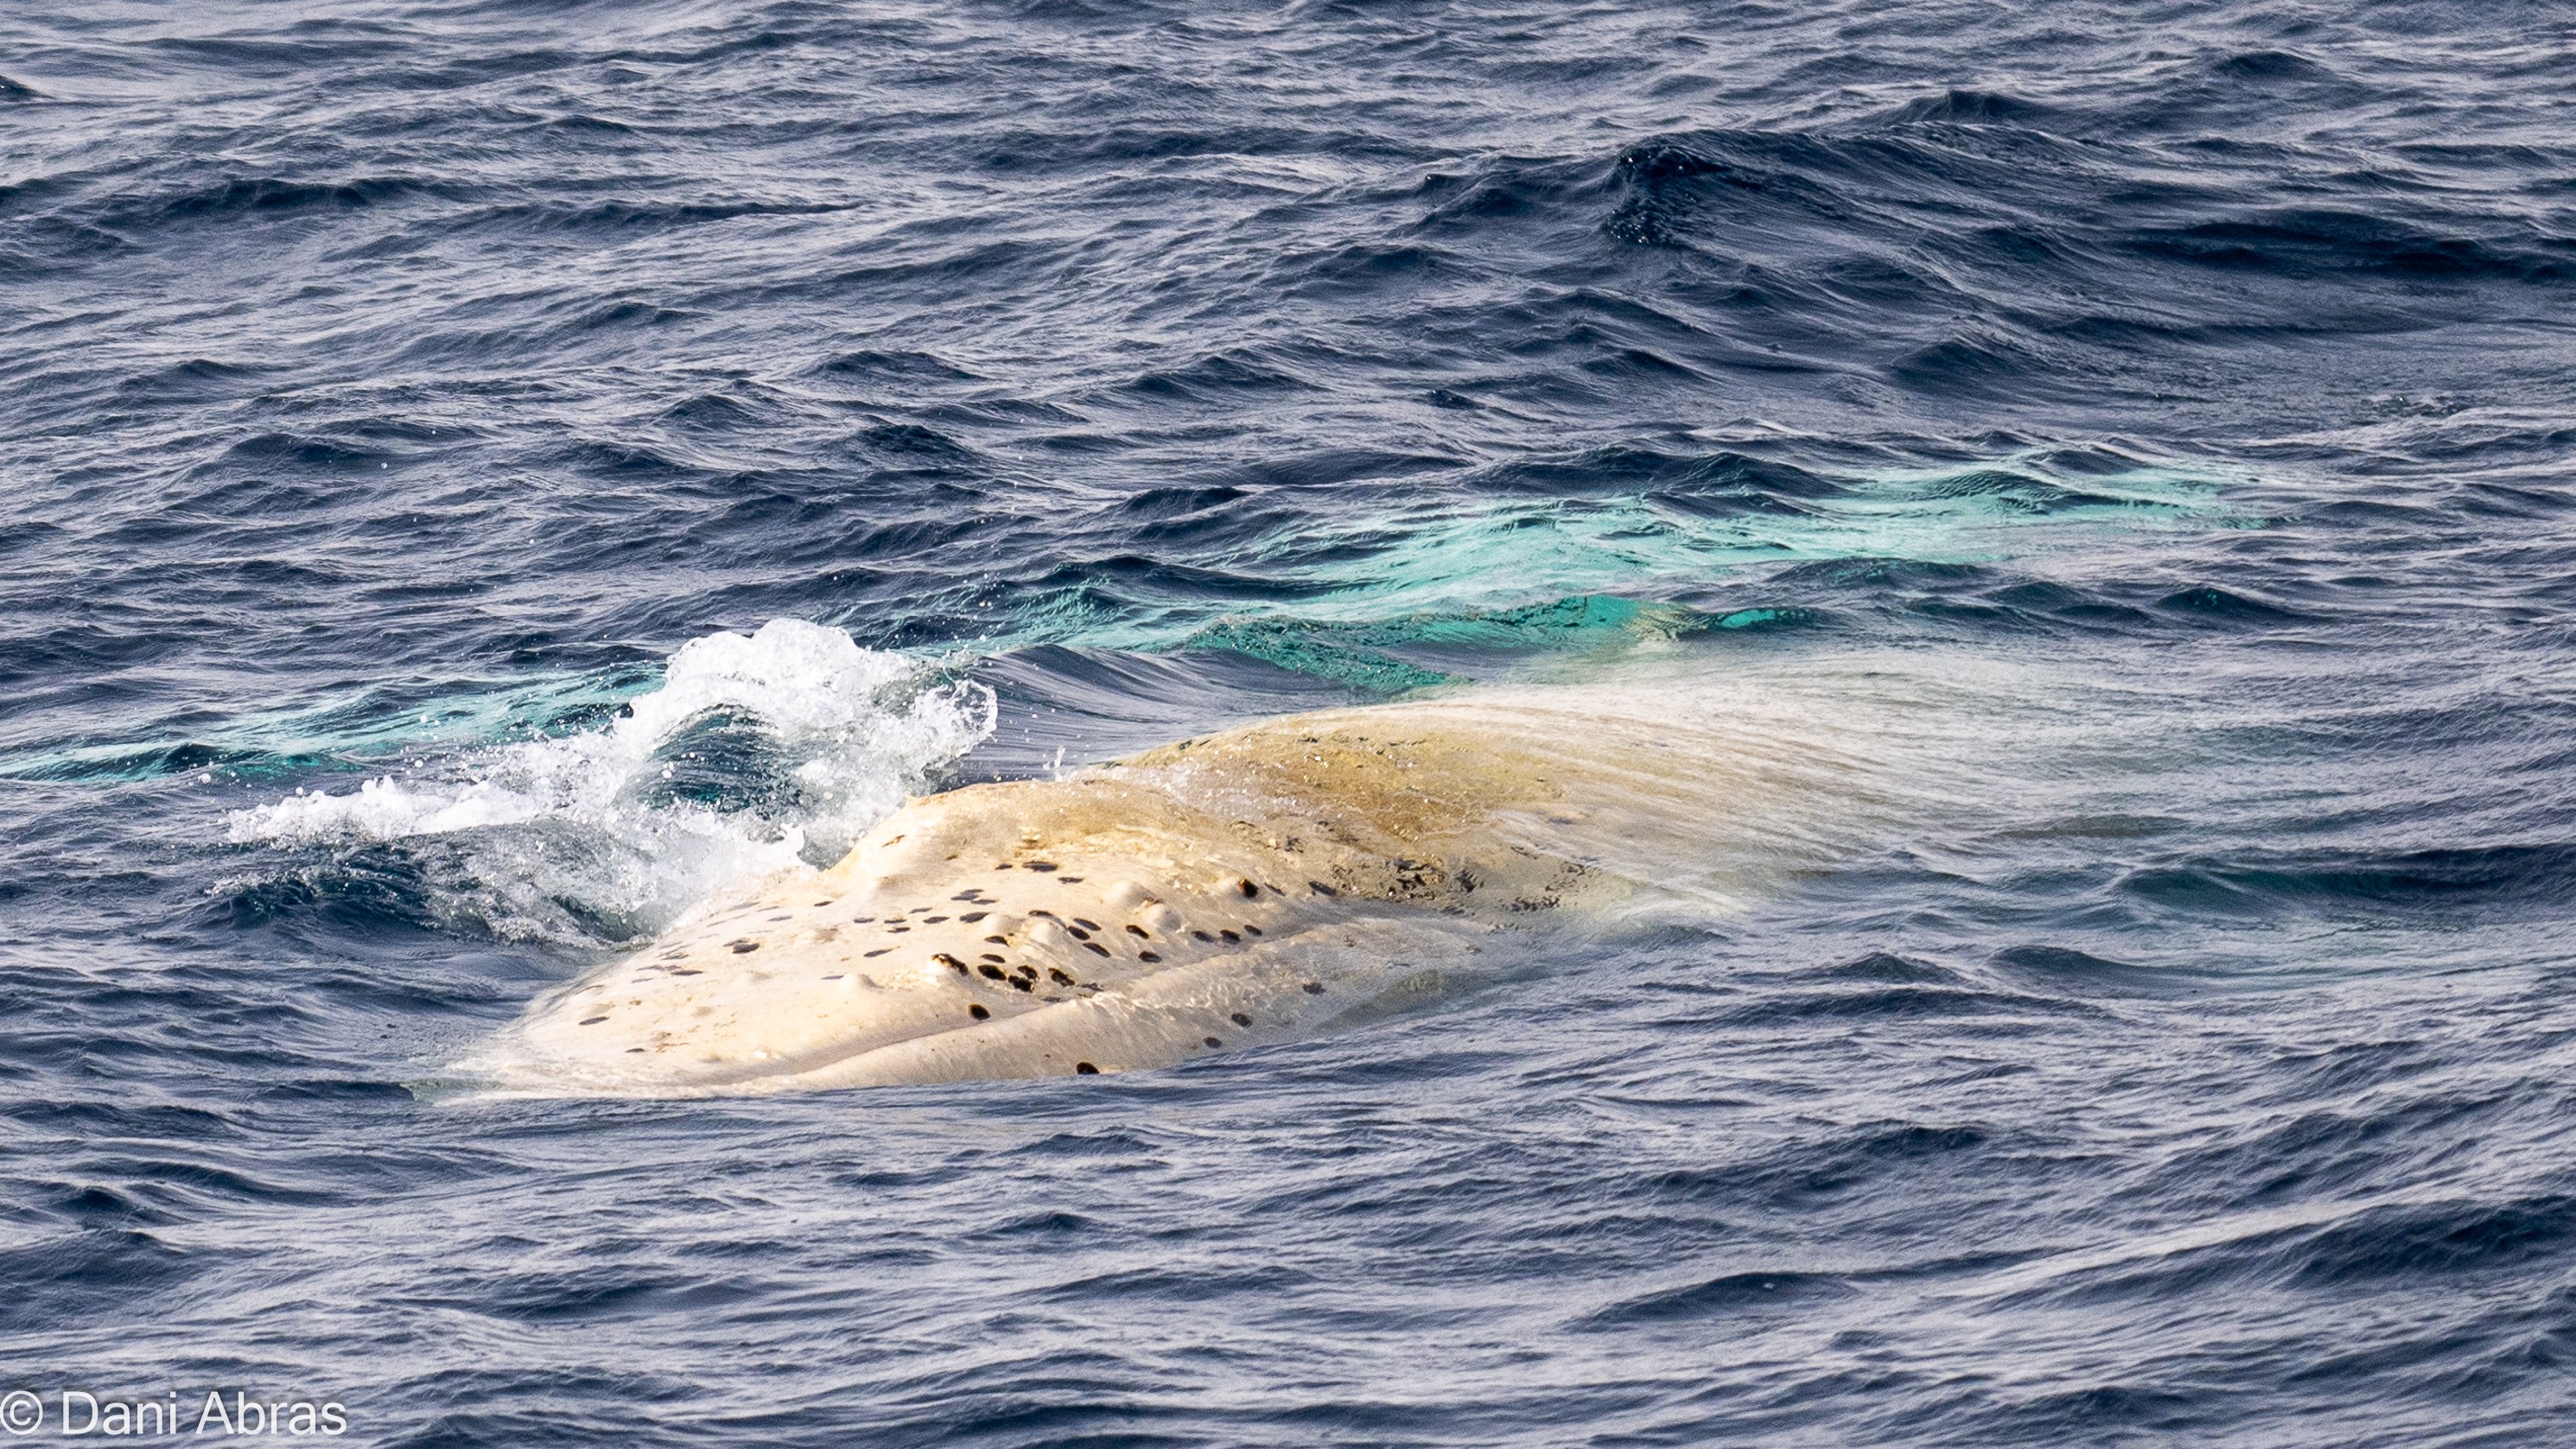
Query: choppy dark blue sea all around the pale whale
x=486, y=477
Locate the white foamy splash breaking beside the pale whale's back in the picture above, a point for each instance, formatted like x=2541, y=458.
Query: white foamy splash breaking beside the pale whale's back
x=573, y=820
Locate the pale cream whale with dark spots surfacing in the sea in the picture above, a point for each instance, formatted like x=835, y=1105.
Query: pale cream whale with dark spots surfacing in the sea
x=1240, y=889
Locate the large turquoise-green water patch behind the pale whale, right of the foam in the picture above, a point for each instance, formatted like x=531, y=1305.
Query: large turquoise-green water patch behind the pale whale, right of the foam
x=1457, y=578
